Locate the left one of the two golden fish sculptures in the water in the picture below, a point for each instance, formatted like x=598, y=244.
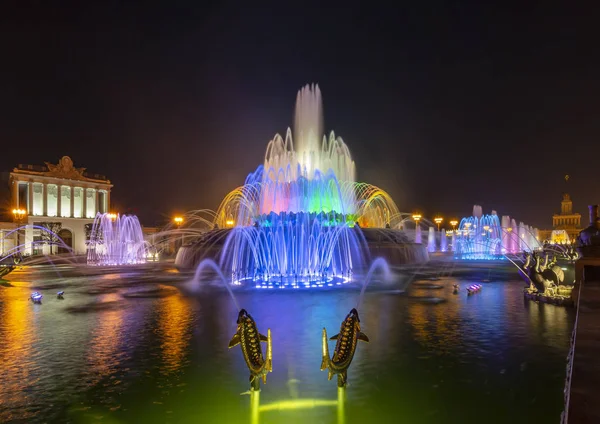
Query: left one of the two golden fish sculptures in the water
x=248, y=337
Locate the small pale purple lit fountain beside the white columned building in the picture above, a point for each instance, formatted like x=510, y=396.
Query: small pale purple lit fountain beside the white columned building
x=116, y=240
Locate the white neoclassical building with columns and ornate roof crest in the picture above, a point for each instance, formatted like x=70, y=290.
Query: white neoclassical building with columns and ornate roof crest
x=60, y=197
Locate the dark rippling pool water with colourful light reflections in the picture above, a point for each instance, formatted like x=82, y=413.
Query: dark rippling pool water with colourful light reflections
x=159, y=356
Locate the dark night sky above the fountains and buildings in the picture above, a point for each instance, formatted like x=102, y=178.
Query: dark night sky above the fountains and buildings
x=442, y=105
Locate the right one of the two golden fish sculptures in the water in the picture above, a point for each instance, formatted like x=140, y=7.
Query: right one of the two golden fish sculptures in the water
x=347, y=339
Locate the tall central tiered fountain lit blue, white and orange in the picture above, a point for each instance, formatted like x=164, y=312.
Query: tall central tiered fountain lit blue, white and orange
x=301, y=219
